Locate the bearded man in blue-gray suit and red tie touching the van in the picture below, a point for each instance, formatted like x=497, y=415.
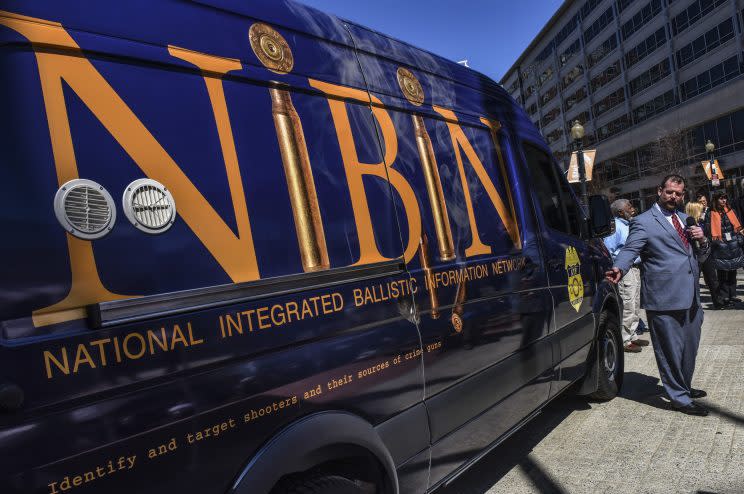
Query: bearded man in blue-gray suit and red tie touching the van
x=669, y=289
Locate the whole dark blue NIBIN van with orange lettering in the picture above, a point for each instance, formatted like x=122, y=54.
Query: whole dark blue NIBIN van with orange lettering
x=249, y=247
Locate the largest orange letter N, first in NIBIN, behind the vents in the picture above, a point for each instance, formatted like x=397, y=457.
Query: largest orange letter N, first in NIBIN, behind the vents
x=235, y=253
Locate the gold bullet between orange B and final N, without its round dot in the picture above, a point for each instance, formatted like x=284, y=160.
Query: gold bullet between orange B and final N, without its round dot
x=434, y=188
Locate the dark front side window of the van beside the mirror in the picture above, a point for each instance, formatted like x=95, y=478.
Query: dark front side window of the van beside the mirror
x=558, y=206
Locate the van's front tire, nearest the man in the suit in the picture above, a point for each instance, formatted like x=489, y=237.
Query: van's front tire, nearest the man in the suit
x=610, y=358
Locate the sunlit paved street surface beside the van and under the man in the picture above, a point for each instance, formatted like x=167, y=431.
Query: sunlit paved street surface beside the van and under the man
x=634, y=443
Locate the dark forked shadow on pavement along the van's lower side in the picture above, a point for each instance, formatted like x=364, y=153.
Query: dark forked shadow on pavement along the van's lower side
x=516, y=451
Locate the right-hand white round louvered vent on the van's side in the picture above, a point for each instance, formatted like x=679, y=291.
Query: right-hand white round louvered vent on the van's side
x=149, y=206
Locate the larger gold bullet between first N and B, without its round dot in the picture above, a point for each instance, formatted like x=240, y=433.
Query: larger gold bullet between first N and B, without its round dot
x=300, y=183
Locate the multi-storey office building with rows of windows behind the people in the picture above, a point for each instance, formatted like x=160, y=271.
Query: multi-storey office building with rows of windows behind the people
x=650, y=80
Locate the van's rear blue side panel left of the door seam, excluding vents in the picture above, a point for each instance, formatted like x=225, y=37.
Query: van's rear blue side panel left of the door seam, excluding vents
x=178, y=401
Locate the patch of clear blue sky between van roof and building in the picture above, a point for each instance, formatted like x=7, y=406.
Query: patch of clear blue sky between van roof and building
x=490, y=34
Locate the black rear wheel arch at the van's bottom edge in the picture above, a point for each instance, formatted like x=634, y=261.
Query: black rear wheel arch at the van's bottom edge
x=311, y=441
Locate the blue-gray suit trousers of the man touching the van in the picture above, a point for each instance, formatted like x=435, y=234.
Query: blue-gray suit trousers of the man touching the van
x=676, y=337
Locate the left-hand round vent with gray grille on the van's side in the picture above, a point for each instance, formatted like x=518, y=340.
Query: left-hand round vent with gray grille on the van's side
x=85, y=209
